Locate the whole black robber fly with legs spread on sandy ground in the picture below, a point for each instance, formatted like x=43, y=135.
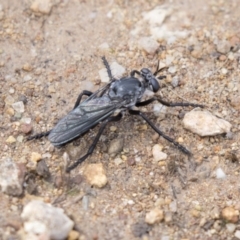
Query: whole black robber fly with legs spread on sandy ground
x=100, y=107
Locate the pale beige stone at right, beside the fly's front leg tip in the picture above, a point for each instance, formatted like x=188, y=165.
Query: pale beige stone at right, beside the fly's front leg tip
x=205, y=124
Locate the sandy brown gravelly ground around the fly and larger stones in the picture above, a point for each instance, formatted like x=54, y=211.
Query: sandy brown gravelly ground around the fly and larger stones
x=48, y=58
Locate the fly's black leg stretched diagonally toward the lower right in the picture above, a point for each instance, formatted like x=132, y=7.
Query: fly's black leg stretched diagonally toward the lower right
x=151, y=124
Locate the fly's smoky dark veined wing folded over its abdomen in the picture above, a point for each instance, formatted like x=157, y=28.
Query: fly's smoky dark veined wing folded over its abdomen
x=81, y=119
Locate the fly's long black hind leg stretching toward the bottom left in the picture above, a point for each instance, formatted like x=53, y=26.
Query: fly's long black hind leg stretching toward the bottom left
x=92, y=147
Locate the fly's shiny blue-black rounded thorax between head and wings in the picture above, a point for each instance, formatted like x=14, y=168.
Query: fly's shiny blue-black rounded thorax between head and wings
x=128, y=90
